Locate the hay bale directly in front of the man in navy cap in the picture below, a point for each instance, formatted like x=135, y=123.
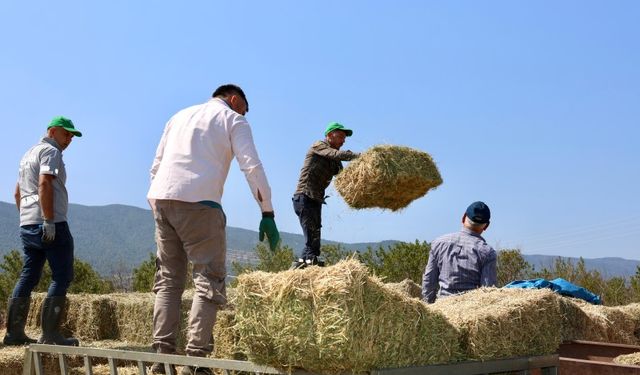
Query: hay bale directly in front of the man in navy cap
x=501, y=323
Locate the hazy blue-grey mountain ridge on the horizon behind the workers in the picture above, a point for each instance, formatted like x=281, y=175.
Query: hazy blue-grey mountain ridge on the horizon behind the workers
x=115, y=236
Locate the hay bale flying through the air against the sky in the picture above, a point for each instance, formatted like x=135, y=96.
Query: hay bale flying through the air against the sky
x=387, y=176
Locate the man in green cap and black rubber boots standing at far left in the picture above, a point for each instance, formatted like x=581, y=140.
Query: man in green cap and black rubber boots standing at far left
x=41, y=199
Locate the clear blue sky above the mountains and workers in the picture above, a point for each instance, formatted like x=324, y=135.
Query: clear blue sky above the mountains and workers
x=530, y=106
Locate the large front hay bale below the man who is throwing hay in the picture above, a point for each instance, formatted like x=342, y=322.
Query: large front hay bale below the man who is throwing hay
x=337, y=319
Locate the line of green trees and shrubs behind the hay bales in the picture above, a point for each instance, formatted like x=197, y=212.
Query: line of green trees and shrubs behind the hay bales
x=394, y=263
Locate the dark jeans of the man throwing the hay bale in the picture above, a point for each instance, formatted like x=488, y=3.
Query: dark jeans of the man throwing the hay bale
x=309, y=212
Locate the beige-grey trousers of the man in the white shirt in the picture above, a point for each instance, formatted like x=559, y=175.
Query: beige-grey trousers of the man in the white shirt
x=188, y=232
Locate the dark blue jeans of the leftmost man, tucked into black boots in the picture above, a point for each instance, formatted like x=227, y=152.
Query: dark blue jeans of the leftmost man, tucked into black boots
x=59, y=254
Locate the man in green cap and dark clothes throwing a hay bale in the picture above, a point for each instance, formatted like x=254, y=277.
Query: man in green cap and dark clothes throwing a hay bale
x=322, y=162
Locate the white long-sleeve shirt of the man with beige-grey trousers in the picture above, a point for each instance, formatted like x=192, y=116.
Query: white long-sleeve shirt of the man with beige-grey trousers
x=193, y=158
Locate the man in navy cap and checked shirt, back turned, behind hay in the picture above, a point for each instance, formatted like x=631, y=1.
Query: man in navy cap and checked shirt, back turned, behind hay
x=461, y=261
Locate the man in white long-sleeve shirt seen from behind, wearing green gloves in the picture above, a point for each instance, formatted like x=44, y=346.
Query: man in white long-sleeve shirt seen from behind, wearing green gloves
x=187, y=180
